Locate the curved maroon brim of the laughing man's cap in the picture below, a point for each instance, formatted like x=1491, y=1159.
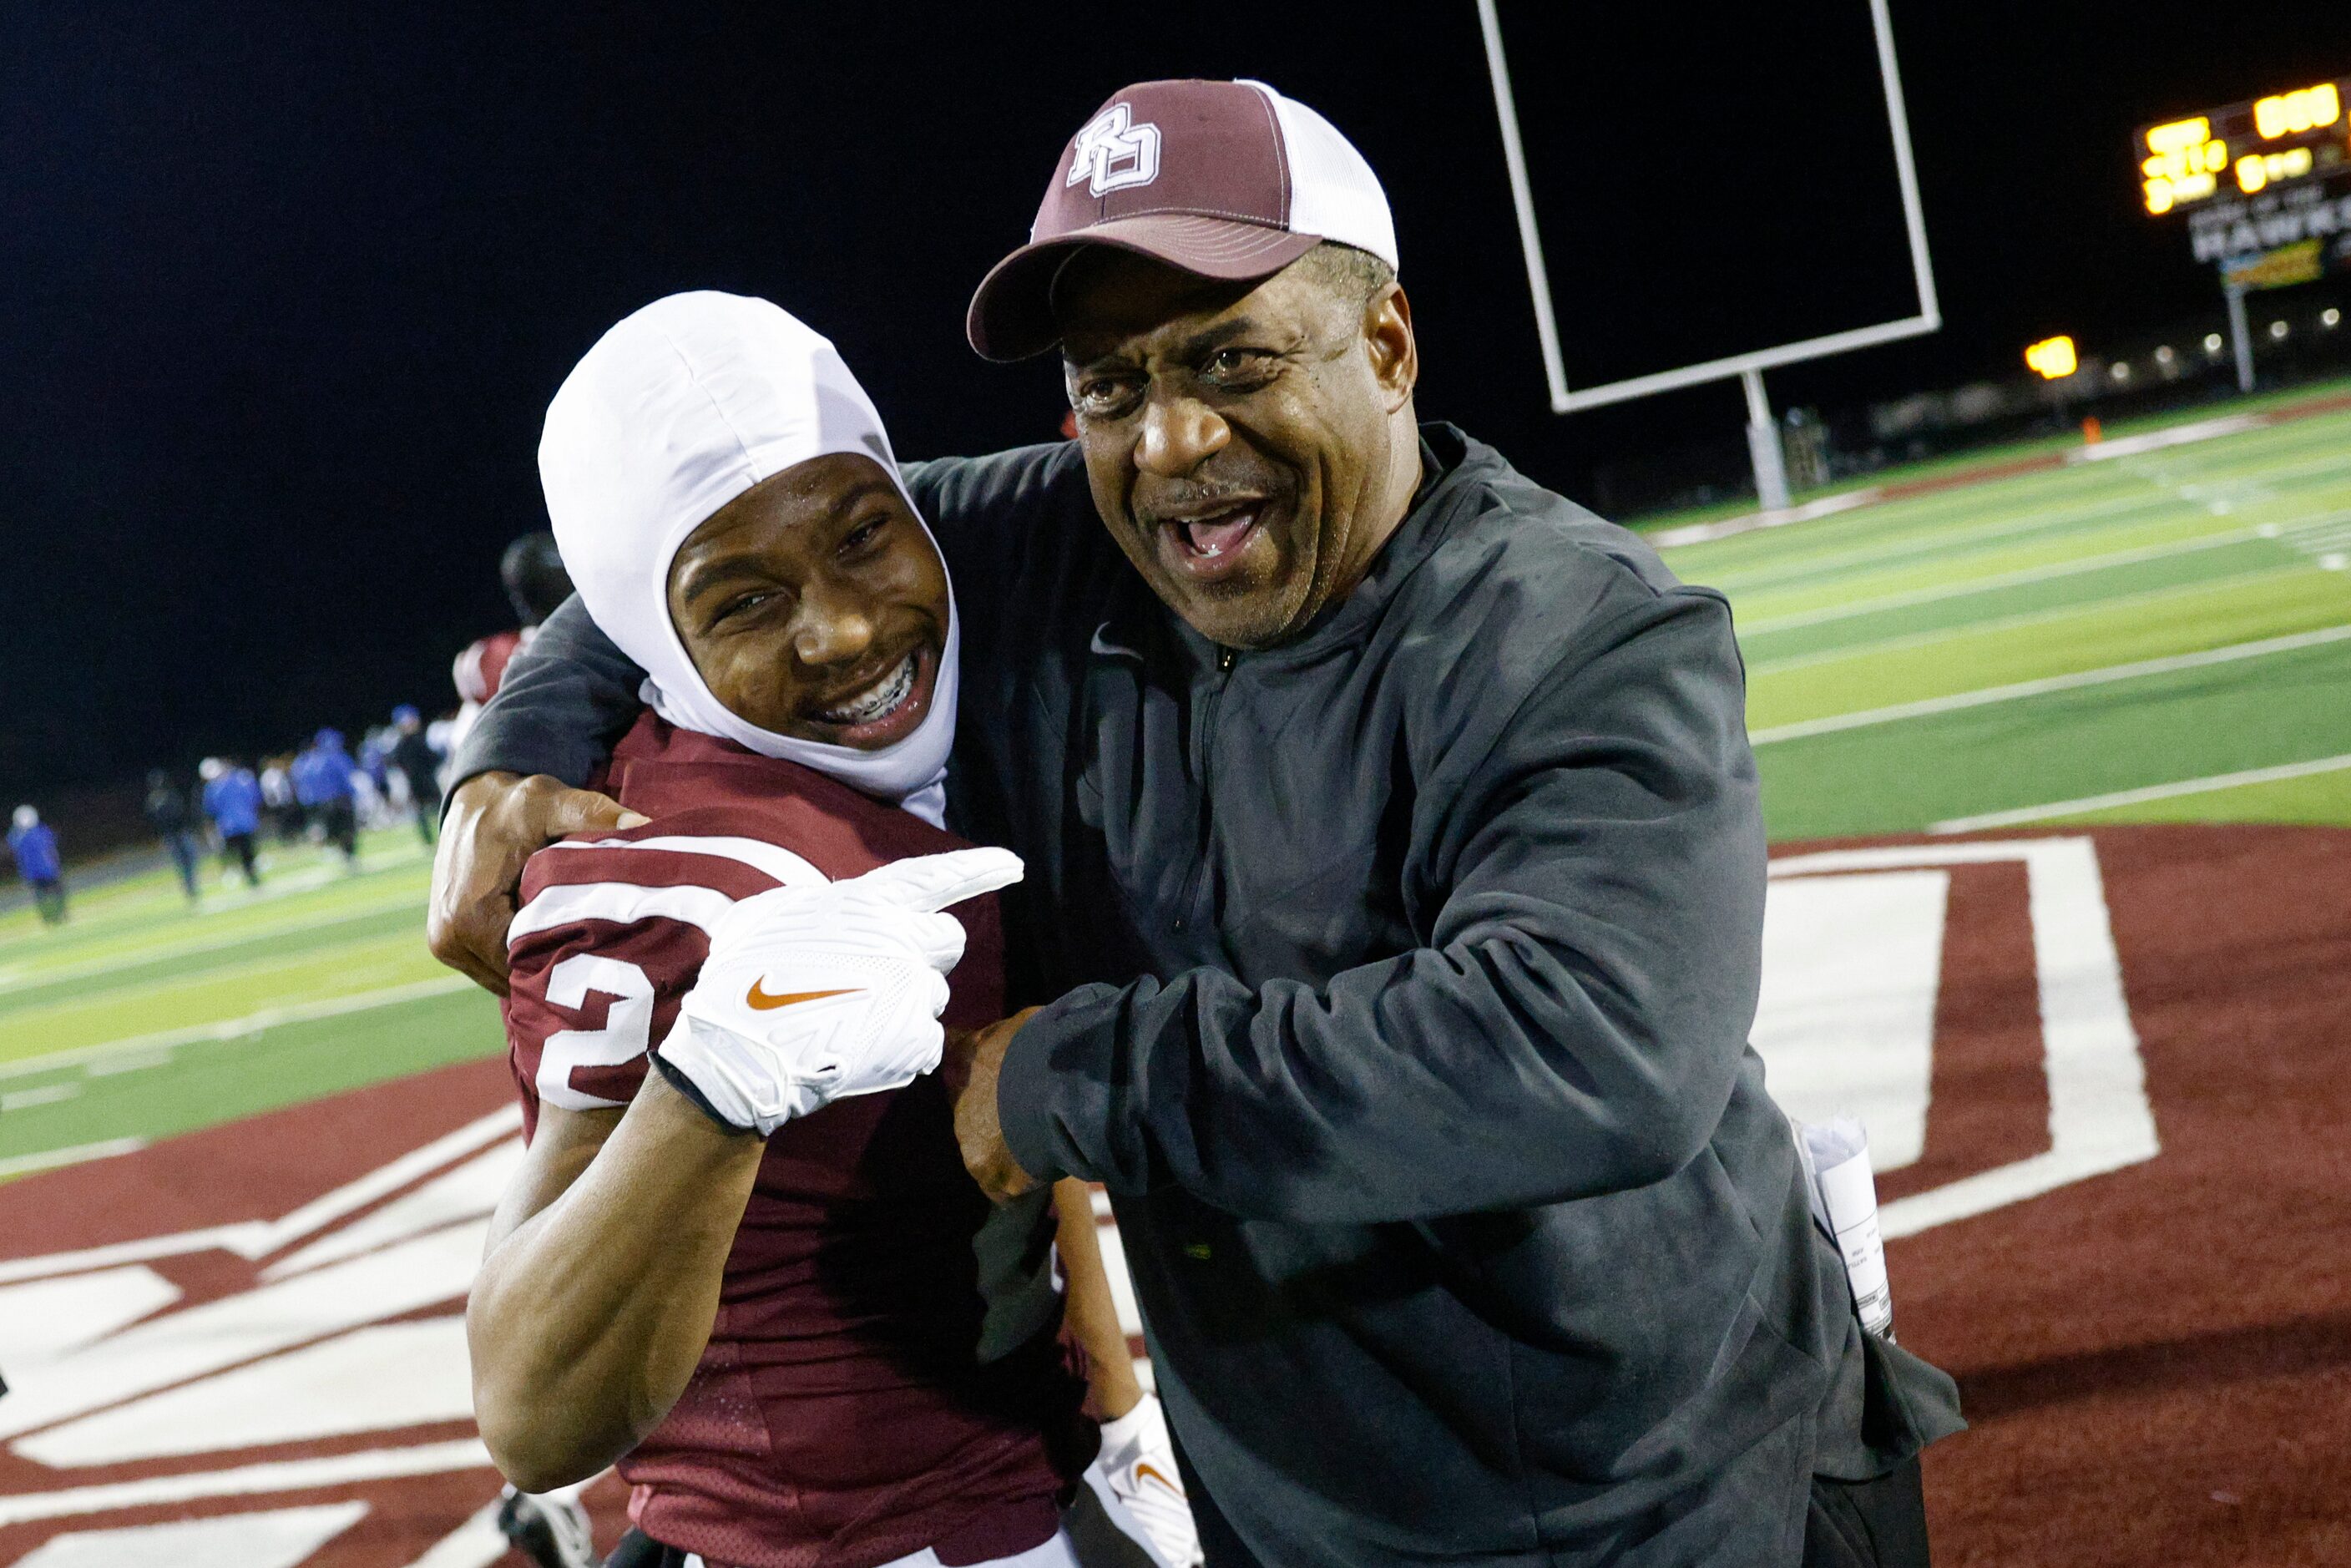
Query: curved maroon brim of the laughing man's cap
x=1012, y=311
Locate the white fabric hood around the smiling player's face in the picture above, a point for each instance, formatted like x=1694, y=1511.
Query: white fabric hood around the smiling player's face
x=676, y=413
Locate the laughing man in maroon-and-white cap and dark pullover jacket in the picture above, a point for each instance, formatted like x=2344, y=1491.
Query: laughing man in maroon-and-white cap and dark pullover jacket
x=1395, y=892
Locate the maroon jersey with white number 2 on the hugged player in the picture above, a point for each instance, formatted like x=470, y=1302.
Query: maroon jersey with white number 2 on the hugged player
x=885, y=1372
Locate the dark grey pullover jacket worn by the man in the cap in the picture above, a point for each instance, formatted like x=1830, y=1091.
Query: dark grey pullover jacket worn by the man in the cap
x=1398, y=986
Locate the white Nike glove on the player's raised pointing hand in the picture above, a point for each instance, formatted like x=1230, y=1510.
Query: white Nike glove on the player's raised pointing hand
x=819, y=993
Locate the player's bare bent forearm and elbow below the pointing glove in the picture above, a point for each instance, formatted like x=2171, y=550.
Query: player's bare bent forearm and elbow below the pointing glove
x=603, y=1282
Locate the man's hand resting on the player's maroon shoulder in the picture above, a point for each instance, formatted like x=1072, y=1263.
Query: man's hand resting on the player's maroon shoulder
x=495, y=824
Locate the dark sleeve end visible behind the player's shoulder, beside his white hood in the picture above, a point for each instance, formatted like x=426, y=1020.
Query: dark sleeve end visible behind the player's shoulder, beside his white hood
x=563, y=706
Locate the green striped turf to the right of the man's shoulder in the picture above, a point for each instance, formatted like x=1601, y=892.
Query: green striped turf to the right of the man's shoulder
x=2143, y=638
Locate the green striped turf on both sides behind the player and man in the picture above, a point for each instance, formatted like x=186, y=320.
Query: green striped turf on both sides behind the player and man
x=2143, y=638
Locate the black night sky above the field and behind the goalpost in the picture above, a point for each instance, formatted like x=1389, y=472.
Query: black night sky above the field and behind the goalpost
x=288, y=286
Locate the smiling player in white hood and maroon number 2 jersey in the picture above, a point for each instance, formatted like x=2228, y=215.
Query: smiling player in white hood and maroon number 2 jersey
x=765, y=1287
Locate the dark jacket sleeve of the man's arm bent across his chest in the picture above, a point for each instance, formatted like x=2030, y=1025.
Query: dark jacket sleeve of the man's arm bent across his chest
x=1572, y=1028
